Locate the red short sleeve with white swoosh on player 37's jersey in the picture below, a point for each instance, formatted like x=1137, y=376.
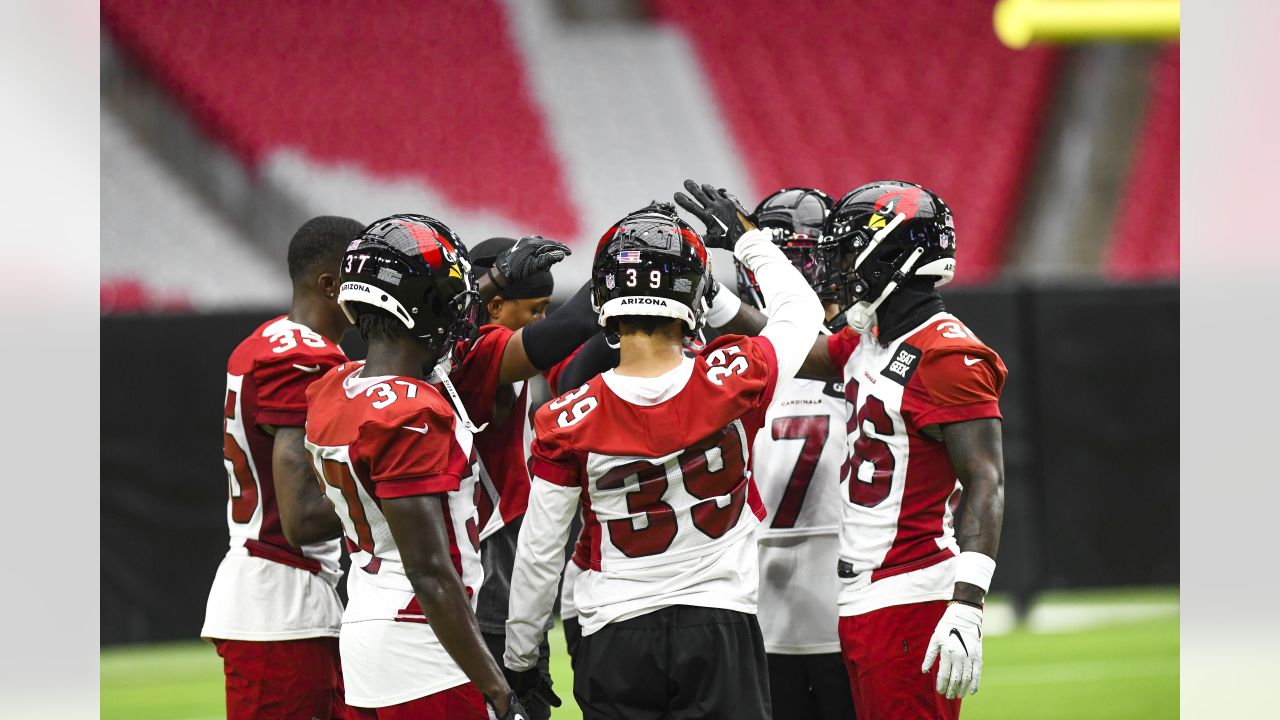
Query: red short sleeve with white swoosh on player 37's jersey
x=404, y=461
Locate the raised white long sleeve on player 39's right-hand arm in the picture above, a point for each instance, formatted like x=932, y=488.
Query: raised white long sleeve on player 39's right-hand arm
x=796, y=312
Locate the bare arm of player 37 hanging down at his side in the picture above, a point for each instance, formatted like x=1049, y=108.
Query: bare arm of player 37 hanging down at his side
x=419, y=527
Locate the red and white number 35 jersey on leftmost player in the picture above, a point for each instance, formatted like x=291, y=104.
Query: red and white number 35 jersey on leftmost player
x=268, y=377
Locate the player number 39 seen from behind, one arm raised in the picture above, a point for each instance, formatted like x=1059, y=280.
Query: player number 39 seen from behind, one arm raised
x=659, y=450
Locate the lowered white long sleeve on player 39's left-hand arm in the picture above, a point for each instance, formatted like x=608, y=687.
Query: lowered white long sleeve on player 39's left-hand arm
x=540, y=560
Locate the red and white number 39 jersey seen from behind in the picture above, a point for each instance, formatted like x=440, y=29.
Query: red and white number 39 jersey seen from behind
x=669, y=503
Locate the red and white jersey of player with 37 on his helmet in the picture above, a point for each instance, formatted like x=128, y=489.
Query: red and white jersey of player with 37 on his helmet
x=373, y=440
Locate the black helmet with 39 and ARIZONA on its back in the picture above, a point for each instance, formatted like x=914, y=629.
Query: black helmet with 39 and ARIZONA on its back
x=652, y=263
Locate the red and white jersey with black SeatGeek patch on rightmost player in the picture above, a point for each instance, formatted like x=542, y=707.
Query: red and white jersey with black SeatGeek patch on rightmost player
x=899, y=490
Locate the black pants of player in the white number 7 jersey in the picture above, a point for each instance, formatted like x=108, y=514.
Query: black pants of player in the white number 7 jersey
x=811, y=687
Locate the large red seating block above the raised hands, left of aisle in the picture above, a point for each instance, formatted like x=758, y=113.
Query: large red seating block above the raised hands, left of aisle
x=821, y=95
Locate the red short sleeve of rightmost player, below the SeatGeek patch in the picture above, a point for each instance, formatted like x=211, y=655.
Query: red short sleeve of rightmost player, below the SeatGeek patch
x=963, y=384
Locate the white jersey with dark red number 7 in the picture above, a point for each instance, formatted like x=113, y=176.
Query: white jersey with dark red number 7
x=797, y=463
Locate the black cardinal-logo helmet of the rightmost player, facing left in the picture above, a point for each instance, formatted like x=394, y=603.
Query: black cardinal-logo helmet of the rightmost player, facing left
x=881, y=235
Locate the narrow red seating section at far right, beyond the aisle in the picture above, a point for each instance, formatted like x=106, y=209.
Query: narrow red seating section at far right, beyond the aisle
x=1146, y=241
